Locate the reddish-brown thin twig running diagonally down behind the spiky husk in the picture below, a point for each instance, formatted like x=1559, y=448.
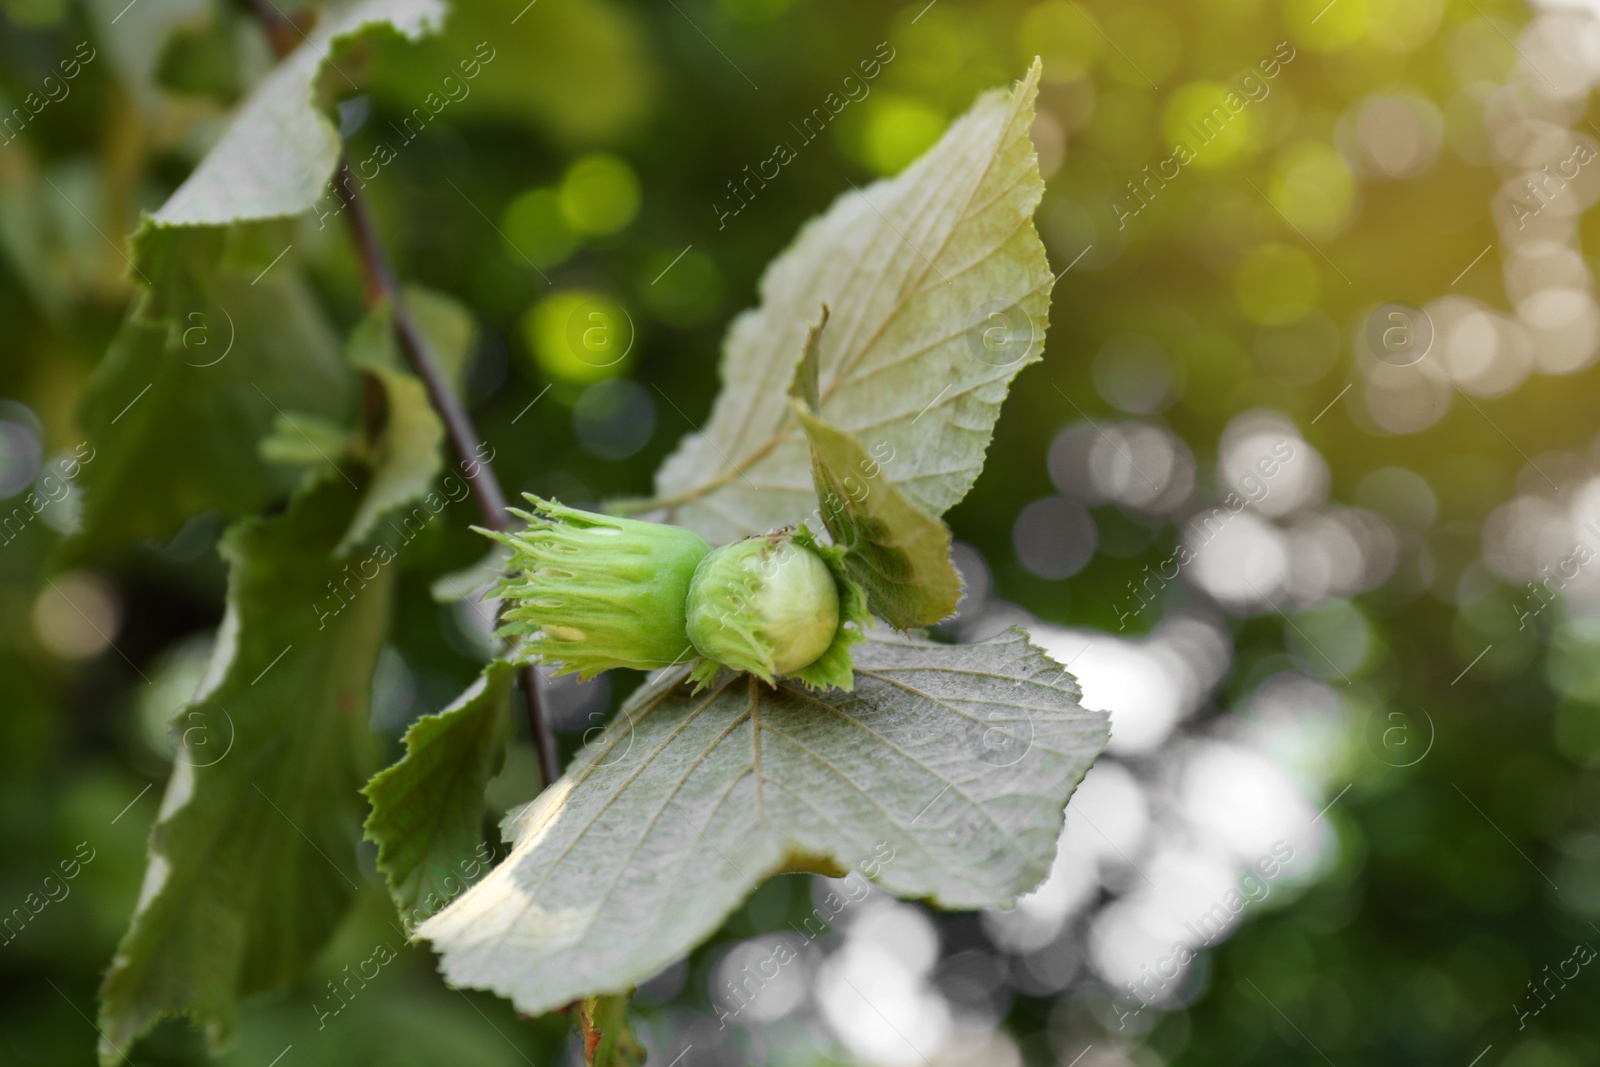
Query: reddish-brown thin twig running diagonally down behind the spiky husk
x=383, y=286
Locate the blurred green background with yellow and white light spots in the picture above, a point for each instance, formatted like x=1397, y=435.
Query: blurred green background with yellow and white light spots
x=1391, y=578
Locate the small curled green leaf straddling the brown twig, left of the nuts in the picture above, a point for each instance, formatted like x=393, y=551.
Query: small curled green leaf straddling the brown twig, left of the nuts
x=409, y=439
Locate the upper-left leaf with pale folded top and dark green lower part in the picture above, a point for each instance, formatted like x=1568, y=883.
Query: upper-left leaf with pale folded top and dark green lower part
x=225, y=337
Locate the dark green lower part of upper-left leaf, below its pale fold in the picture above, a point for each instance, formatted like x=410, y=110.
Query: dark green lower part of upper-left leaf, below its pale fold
x=177, y=414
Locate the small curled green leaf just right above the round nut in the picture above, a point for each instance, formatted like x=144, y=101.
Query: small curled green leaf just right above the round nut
x=894, y=549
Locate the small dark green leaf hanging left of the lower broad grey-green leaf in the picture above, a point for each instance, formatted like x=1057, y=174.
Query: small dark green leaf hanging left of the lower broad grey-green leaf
x=428, y=809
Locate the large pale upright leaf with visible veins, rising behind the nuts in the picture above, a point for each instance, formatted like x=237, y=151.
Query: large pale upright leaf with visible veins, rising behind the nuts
x=919, y=273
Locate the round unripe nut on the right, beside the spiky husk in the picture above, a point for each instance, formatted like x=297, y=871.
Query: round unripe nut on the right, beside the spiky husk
x=766, y=605
